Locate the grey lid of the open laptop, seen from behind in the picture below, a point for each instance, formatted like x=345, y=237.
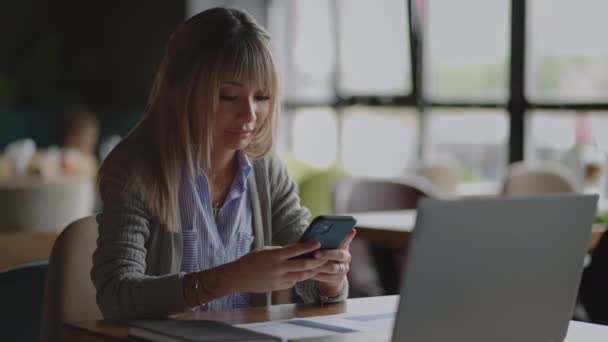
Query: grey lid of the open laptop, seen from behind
x=504, y=269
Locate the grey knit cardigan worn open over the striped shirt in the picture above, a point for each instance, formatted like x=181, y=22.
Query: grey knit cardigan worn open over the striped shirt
x=136, y=266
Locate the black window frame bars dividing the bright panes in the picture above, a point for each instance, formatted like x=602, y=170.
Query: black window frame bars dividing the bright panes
x=517, y=105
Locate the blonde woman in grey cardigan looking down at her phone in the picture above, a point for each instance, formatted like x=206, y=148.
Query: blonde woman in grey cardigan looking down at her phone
x=194, y=193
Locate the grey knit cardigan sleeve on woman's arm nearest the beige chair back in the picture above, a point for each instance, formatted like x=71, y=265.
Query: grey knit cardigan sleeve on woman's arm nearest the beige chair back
x=124, y=291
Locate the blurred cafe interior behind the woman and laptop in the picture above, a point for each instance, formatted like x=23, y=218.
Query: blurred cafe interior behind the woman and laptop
x=383, y=103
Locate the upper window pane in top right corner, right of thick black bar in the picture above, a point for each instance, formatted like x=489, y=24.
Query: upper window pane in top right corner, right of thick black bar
x=567, y=56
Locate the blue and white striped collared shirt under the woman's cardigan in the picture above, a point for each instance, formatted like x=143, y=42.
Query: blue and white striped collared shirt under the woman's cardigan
x=207, y=243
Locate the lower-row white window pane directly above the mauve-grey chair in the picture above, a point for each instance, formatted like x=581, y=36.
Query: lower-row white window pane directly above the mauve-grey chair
x=379, y=141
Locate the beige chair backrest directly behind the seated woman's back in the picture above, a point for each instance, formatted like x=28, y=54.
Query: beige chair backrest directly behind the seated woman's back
x=69, y=294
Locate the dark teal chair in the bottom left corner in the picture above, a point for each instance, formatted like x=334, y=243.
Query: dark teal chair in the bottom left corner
x=21, y=290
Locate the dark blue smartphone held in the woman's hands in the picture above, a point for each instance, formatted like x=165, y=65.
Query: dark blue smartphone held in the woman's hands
x=330, y=231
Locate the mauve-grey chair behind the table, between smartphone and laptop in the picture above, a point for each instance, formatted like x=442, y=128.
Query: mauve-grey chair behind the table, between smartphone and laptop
x=375, y=270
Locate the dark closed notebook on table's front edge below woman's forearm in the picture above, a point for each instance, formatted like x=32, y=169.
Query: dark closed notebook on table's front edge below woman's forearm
x=193, y=331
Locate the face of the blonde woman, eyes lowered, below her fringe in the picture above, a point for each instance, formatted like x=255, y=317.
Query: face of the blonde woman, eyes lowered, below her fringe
x=241, y=109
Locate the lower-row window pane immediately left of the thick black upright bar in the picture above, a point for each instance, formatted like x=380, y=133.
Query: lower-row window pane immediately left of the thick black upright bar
x=474, y=139
